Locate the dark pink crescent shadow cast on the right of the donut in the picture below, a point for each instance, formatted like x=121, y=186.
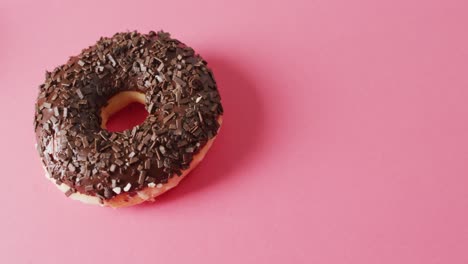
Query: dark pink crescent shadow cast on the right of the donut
x=238, y=139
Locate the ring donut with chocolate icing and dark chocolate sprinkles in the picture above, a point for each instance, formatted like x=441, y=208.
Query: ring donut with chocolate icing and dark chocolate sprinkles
x=117, y=169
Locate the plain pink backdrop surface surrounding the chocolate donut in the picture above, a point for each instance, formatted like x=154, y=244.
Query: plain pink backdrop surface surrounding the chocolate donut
x=345, y=136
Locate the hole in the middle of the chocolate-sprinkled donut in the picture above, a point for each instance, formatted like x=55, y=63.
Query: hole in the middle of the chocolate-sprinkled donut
x=123, y=111
